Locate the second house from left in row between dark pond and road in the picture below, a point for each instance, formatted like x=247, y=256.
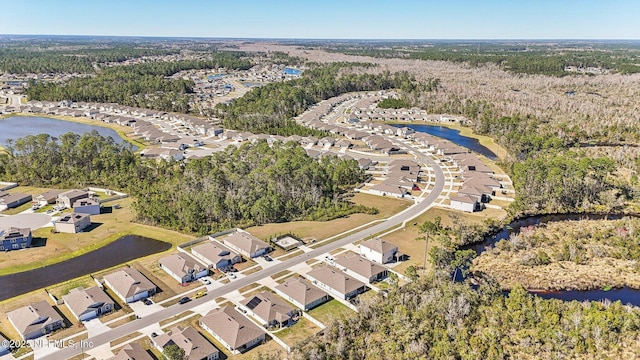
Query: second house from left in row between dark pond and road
x=87, y=304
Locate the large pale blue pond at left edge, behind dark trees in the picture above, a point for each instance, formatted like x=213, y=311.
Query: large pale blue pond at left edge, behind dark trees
x=20, y=126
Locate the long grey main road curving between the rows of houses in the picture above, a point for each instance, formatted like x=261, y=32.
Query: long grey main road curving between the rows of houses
x=128, y=328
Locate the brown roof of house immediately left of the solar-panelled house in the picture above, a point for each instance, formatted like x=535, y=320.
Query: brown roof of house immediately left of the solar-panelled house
x=229, y=325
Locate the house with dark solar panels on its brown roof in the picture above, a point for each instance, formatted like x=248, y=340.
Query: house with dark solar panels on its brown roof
x=269, y=309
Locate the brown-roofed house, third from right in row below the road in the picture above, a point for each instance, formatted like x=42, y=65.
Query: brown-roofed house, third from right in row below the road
x=336, y=282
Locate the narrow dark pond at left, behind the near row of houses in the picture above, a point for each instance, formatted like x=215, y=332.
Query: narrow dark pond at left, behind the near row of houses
x=120, y=251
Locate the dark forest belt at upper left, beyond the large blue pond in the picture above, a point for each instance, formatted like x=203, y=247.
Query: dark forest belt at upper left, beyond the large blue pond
x=142, y=85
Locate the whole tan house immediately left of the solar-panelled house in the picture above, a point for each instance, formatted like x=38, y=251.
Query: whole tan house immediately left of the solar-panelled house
x=234, y=331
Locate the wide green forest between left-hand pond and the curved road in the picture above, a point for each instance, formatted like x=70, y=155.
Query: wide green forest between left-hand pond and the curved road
x=253, y=184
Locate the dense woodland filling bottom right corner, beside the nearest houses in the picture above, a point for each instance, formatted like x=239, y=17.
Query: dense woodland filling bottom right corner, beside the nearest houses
x=439, y=319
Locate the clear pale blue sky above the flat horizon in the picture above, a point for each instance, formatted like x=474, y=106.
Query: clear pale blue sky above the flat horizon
x=328, y=19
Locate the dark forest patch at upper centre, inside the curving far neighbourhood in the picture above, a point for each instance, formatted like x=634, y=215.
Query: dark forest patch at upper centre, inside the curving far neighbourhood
x=270, y=109
